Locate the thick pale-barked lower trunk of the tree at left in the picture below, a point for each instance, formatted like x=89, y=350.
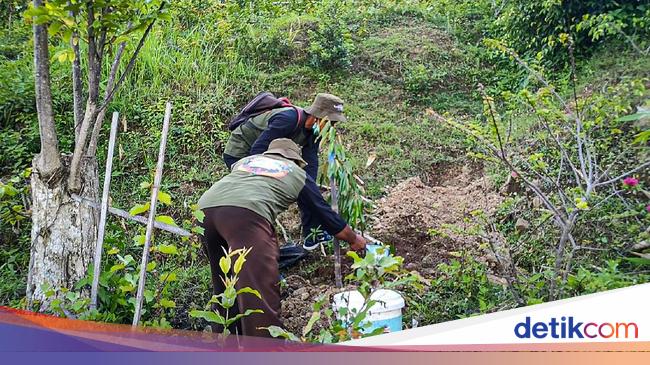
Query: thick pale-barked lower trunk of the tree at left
x=64, y=231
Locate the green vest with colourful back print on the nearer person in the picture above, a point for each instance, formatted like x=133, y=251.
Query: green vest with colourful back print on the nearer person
x=264, y=184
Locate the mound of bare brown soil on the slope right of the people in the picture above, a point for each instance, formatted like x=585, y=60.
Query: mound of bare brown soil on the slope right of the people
x=427, y=221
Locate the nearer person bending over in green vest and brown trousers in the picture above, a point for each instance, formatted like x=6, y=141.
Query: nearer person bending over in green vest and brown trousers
x=239, y=213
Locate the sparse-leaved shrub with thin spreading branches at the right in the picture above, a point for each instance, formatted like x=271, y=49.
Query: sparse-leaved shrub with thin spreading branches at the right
x=560, y=166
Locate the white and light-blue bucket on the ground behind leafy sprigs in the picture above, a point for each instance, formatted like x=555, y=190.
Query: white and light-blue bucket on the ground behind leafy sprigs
x=385, y=313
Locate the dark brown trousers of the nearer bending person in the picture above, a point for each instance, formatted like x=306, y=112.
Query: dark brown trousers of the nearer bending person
x=236, y=228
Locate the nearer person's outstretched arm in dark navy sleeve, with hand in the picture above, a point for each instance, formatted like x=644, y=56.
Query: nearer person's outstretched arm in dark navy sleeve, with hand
x=311, y=197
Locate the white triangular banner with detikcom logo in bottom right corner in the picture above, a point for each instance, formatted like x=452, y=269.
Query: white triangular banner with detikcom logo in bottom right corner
x=611, y=316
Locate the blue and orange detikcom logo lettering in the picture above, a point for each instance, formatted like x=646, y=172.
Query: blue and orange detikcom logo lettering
x=568, y=327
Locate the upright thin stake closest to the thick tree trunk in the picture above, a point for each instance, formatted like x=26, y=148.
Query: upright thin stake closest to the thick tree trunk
x=102, y=212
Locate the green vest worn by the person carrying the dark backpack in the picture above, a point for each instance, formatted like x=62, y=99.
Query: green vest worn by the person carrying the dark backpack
x=243, y=137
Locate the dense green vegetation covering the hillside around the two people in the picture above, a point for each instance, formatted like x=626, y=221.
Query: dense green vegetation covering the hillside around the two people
x=409, y=72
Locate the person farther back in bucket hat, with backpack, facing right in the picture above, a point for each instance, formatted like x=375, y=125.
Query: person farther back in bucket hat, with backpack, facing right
x=254, y=136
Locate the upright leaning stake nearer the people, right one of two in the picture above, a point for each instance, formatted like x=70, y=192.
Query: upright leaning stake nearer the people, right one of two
x=152, y=215
